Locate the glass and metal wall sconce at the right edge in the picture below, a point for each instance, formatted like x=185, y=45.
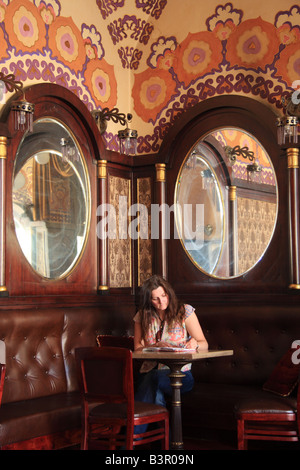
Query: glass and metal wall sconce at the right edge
x=287, y=126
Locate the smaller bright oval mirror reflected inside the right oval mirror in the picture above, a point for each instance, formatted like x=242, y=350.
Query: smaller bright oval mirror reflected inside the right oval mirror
x=198, y=188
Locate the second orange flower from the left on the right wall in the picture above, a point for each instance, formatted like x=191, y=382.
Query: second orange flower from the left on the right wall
x=198, y=54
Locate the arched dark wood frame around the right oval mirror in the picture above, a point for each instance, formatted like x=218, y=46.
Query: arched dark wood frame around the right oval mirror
x=273, y=272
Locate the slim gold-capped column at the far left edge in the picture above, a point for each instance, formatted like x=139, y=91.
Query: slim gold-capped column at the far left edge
x=3, y=159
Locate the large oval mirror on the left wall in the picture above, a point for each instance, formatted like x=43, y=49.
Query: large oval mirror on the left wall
x=51, y=207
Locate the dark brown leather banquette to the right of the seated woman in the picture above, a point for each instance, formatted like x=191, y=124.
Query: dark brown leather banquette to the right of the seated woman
x=258, y=334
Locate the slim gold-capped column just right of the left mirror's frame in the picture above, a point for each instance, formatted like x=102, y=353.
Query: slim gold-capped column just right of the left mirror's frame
x=102, y=237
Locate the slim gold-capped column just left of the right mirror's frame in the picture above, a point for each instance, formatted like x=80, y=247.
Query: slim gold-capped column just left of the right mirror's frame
x=161, y=199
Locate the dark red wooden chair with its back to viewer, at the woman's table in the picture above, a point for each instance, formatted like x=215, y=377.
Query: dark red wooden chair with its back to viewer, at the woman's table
x=109, y=412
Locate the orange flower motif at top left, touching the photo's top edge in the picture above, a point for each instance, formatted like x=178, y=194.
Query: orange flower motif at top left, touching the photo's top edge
x=25, y=27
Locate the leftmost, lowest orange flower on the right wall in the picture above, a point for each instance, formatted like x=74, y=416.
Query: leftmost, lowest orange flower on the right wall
x=152, y=90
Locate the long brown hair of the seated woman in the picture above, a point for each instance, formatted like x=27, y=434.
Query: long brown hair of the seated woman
x=174, y=311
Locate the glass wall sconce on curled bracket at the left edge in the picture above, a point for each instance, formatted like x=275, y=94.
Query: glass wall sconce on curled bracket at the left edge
x=23, y=110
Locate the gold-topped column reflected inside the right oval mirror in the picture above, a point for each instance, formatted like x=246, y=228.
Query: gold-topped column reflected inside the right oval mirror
x=233, y=234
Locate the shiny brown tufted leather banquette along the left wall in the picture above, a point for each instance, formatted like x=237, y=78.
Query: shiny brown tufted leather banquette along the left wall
x=41, y=392
